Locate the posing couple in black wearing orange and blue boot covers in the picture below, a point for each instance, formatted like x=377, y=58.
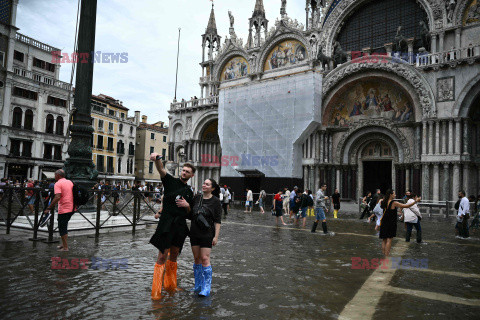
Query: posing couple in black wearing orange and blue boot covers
x=180, y=204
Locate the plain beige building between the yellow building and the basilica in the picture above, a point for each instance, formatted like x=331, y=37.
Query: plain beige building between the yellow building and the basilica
x=151, y=138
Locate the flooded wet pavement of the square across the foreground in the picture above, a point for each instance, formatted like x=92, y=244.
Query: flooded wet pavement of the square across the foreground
x=260, y=271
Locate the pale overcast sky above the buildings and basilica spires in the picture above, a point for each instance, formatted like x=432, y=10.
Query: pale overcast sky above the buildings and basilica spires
x=147, y=30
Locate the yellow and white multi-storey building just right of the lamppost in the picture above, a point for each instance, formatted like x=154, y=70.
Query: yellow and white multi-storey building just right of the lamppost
x=113, y=141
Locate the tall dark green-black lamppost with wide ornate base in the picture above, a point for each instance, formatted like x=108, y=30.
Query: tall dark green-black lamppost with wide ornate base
x=79, y=167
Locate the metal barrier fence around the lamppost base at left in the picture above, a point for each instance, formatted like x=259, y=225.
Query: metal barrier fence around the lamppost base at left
x=28, y=204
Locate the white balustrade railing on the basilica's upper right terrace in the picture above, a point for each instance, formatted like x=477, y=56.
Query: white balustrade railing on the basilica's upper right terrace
x=449, y=56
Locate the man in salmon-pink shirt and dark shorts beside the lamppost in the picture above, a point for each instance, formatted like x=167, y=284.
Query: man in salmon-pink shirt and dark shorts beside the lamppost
x=63, y=190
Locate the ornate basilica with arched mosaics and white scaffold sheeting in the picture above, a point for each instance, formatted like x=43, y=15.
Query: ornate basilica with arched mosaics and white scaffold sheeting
x=361, y=95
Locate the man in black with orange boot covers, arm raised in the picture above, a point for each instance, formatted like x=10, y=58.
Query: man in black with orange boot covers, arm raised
x=172, y=227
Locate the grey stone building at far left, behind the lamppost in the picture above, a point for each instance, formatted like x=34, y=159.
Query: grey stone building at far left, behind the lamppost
x=35, y=104
